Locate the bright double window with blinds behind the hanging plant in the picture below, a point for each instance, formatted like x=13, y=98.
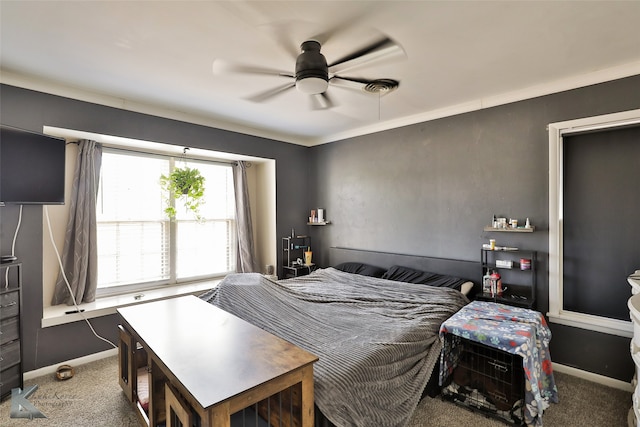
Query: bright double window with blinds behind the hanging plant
x=138, y=246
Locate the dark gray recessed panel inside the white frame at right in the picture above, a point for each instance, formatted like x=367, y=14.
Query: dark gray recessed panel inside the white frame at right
x=601, y=177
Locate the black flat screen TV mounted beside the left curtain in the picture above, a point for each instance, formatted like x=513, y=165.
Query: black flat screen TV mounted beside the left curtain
x=31, y=167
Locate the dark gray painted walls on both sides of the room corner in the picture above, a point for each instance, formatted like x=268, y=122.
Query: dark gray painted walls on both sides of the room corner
x=426, y=189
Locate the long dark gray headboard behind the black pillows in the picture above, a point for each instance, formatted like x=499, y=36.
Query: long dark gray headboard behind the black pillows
x=469, y=270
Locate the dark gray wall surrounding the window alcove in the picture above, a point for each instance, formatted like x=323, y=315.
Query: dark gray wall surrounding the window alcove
x=32, y=110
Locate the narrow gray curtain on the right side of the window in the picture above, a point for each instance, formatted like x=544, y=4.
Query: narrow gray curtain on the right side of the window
x=246, y=254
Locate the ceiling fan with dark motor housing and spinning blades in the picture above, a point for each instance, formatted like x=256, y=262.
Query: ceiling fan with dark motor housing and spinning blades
x=313, y=74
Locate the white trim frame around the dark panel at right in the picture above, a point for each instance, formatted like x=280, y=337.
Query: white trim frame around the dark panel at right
x=556, y=313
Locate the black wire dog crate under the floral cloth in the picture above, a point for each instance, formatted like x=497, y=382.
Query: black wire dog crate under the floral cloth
x=489, y=381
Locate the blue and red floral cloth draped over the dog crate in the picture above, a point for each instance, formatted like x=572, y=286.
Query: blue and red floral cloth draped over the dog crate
x=511, y=329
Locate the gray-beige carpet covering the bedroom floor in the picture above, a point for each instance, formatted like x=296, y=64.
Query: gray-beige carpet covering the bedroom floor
x=93, y=398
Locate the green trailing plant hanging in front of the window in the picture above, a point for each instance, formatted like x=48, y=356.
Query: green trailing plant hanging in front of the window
x=183, y=184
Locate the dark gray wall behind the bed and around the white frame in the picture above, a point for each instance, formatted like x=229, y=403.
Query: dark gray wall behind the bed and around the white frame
x=430, y=188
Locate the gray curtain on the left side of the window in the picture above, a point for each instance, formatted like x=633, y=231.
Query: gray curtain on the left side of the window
x=79, y=255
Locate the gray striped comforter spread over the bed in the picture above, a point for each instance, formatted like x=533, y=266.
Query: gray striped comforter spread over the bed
x=377, y=340
